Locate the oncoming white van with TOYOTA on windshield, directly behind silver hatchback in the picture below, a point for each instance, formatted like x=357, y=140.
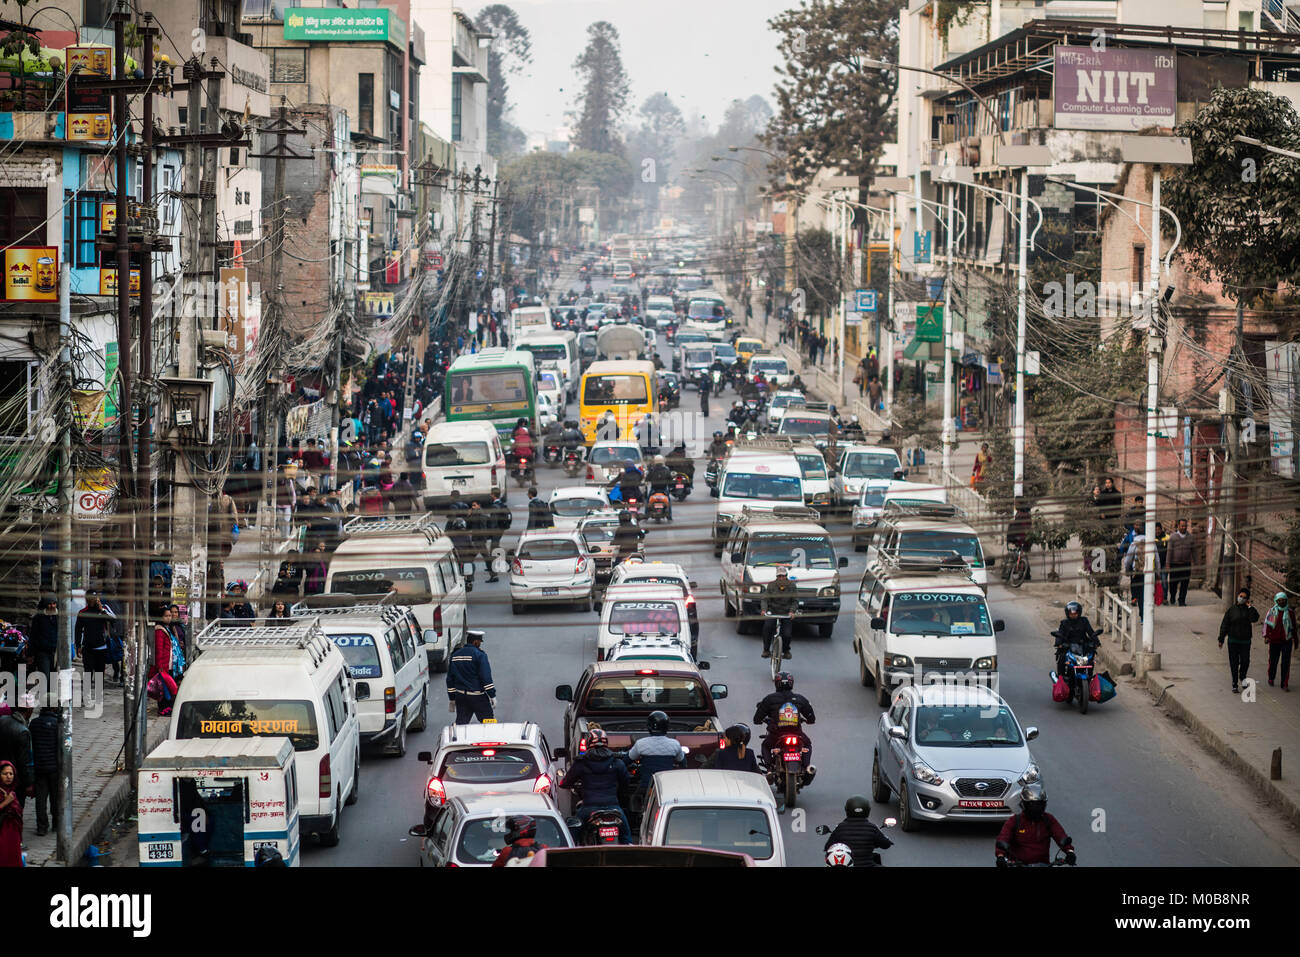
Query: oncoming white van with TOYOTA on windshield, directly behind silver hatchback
x=922, y=618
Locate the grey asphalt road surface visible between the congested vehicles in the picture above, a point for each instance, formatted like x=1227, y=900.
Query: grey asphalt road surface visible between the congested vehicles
x=1130, y=787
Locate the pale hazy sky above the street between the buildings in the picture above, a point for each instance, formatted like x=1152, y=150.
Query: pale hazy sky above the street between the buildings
x=704, y=53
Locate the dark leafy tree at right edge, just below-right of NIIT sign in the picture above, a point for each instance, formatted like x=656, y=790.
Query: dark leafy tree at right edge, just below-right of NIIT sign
x=1240, y=206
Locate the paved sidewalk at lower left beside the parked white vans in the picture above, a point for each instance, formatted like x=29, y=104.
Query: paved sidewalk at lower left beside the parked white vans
x=101, y=789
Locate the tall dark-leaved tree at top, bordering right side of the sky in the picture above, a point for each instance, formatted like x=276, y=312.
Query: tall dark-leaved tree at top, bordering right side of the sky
x=831, y=110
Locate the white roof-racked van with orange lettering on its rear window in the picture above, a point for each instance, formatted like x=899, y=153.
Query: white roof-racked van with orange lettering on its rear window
x=280, y=681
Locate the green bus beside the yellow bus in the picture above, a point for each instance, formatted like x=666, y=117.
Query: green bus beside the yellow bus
x=493, y=386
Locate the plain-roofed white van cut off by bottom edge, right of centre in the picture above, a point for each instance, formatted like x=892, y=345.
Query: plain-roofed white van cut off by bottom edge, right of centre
x=721, y=811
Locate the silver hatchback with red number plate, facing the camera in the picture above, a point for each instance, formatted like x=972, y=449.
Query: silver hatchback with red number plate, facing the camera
x=951, y=752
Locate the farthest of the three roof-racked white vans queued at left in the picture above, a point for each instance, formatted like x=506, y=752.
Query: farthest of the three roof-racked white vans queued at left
x=414, y=558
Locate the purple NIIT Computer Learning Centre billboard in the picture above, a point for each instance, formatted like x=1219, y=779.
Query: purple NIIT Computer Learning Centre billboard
x=1115, y=89
